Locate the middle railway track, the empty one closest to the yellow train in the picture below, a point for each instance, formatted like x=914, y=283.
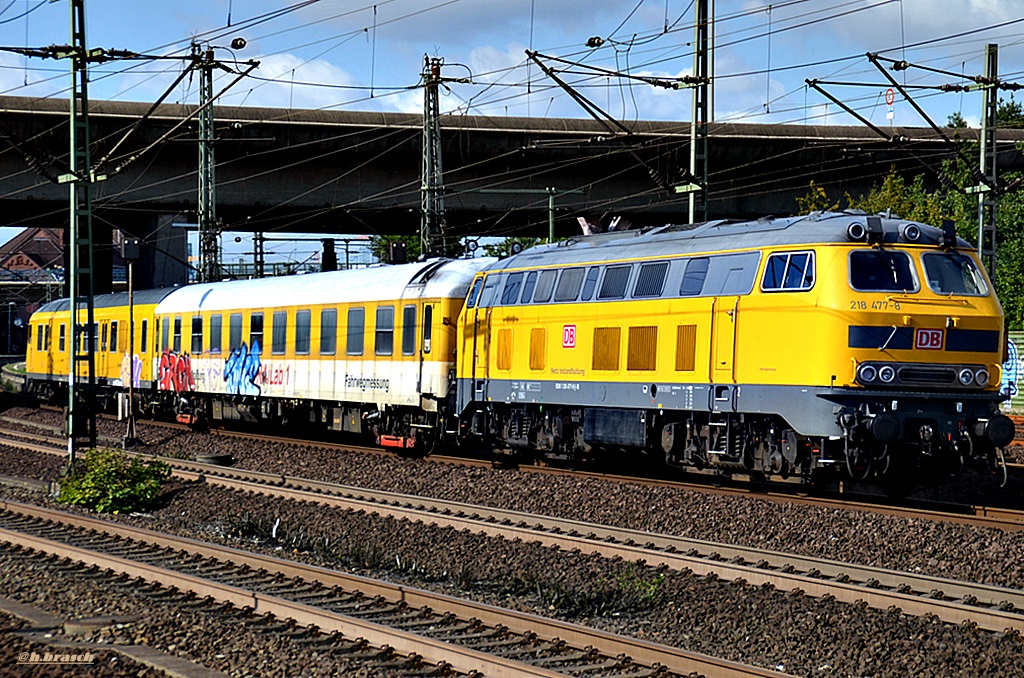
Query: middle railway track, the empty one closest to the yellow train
x=995, y=609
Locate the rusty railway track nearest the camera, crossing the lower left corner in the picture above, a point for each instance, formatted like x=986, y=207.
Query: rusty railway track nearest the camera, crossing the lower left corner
x=439, y=629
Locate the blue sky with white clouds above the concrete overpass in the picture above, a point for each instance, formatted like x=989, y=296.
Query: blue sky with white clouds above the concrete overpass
x=368, y=57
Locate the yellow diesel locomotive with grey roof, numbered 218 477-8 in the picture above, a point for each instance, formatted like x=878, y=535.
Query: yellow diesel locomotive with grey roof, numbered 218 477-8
x=867, y=345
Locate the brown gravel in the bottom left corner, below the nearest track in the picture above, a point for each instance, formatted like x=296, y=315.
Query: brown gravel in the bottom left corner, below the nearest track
x=220, y=642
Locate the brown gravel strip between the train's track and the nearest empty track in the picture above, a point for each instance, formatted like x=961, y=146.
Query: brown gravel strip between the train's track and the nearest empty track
x=948, y=550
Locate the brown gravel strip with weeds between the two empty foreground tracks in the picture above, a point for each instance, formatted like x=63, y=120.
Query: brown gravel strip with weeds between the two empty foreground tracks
x=758, y=625
